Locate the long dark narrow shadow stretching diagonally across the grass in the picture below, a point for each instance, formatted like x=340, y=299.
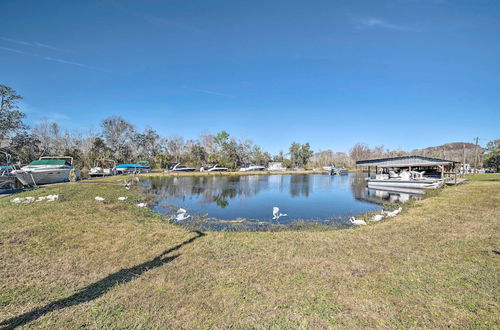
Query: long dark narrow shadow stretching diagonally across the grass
x=97, y=289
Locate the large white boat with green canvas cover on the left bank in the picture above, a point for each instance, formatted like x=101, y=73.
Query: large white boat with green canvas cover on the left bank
x=46, y=170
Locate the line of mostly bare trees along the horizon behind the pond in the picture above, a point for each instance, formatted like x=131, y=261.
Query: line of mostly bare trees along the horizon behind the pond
x=121, y=141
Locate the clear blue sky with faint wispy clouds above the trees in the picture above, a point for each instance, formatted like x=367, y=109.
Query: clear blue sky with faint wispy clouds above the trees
x=402, y=73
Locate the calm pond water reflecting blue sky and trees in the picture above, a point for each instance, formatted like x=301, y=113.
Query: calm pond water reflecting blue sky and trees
x=252, y=197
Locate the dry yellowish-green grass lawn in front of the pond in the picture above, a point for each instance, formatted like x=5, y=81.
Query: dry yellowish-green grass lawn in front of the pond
x=82, y=263
